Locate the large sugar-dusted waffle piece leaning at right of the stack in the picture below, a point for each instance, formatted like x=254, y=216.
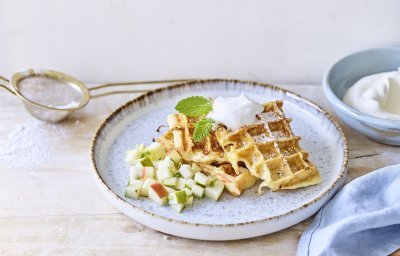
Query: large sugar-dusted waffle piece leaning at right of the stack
x=269, y=150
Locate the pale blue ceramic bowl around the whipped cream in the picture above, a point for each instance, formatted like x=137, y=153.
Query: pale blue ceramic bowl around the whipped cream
x=344, y=73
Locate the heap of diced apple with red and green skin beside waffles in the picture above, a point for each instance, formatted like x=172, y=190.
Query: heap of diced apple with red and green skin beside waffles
x=161, y=176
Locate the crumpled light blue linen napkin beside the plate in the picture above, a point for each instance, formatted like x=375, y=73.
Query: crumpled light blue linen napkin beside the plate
x=362, y=219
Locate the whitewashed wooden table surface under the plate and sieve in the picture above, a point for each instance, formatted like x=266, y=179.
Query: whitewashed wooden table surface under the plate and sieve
x=50, y=205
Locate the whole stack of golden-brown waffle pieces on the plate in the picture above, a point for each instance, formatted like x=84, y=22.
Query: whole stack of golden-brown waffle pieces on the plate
x=265, y=150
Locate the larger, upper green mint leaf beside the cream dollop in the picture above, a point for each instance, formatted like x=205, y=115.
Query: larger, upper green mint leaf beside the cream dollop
x=194, y=106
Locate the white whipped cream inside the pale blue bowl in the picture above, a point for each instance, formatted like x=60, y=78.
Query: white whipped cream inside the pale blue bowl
x=376, y=95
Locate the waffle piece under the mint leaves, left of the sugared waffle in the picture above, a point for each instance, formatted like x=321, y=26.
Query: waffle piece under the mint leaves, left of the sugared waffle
x=206, y=151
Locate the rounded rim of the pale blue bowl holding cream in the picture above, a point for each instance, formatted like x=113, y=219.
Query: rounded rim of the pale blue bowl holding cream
x=340, y=105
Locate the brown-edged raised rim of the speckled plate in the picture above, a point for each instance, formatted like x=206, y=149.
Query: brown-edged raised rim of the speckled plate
x=108, y=119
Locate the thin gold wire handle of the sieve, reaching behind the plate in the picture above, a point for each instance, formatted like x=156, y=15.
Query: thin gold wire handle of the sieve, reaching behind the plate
x=102, y=86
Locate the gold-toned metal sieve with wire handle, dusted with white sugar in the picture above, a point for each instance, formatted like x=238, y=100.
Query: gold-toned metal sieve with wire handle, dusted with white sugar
x=51, y=95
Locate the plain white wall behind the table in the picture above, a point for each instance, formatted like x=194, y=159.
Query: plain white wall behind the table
x=115, y=40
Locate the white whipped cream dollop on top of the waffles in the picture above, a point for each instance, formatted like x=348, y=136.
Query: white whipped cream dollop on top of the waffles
x=235, y=112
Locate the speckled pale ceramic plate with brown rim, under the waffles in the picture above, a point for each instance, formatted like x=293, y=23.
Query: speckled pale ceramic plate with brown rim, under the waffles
x=231, y=218
